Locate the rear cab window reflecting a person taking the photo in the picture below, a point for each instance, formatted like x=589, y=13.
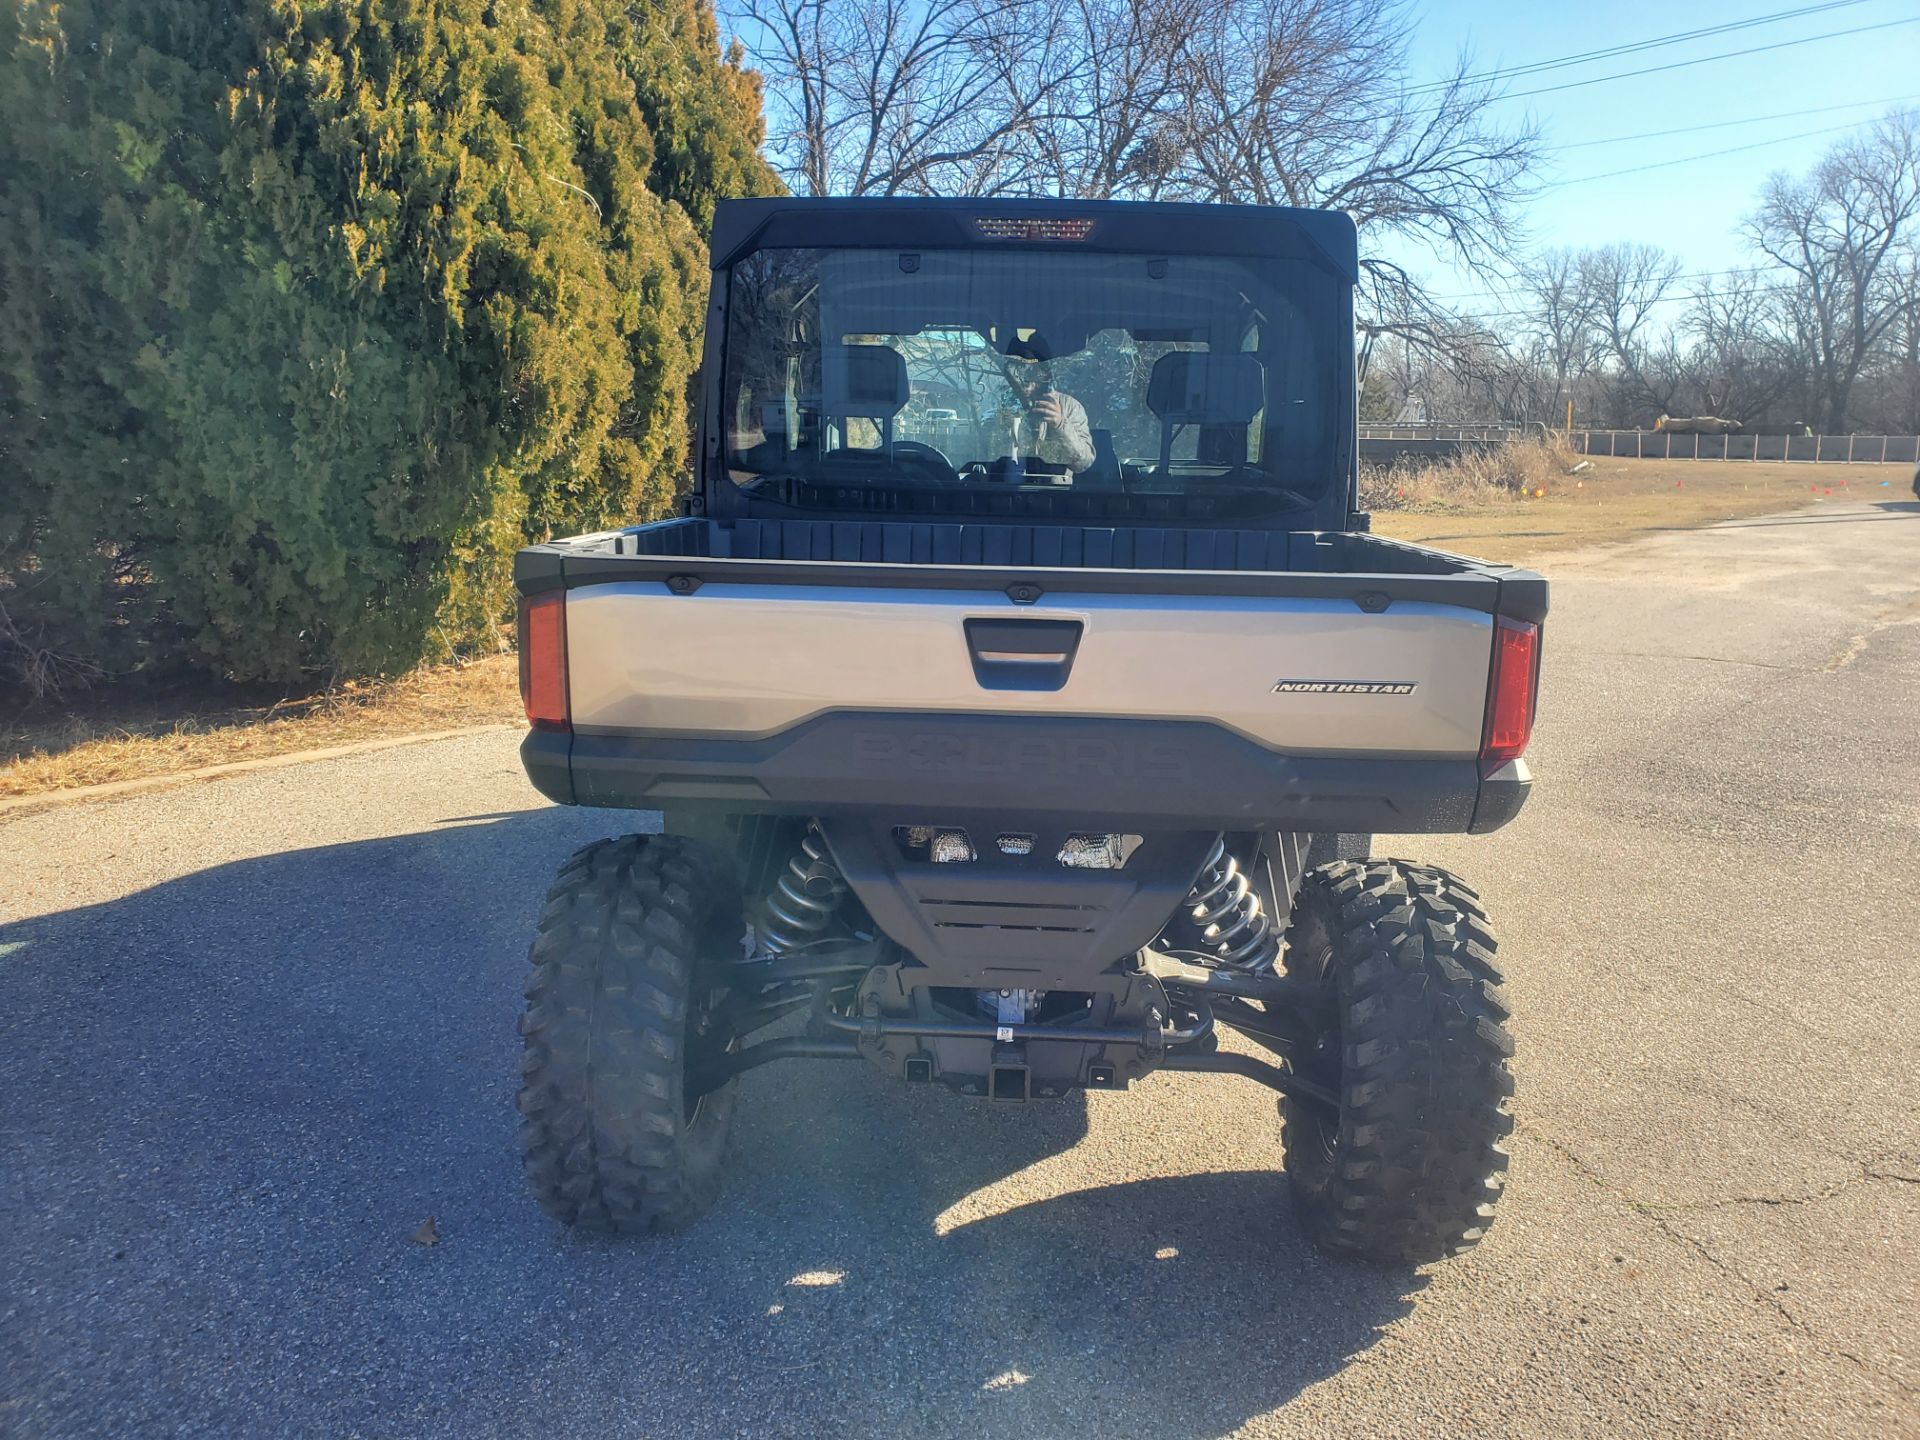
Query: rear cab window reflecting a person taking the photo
x=928, y=381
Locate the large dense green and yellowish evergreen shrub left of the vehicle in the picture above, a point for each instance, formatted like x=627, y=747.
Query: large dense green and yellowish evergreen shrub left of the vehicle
x=314, y=310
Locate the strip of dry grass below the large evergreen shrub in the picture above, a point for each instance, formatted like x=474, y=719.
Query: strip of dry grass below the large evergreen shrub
x=153, y=738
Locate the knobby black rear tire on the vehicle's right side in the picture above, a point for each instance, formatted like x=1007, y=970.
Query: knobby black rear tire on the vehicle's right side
x=1399, y=963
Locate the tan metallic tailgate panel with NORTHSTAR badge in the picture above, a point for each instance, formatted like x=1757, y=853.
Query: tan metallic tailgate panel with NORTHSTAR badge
x=748, y=661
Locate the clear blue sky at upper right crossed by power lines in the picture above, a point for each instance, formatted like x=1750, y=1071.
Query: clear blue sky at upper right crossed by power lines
x=1694, y=208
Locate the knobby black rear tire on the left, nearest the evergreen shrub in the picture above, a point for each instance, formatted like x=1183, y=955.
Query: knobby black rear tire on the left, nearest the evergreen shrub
x=617, y=1009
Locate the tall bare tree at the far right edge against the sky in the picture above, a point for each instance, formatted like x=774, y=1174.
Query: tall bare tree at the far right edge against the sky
x=1842, y=235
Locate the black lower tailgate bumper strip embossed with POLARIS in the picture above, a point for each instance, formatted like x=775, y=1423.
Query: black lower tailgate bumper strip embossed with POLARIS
x=921, y=769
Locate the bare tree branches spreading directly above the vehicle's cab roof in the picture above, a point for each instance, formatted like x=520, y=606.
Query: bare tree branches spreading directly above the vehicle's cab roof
x=1297, y=103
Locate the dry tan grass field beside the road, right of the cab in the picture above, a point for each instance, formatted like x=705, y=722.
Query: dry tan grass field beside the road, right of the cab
x=1489, y=506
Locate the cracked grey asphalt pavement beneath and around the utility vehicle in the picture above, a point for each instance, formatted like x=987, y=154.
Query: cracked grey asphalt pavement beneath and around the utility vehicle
x=252, y=1034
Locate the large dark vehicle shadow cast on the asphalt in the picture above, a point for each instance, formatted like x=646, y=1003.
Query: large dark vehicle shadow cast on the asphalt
x=233, y=1099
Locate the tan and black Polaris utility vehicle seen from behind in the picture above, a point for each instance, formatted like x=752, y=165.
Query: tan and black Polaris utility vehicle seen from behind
x=1022, y=692
